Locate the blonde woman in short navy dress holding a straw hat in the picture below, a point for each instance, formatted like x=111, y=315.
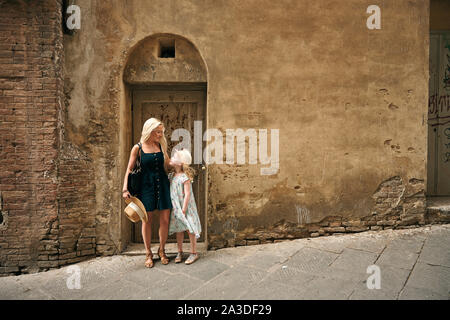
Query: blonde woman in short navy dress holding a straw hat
x=155, y=187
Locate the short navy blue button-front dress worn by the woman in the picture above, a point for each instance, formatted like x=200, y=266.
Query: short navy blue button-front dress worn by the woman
x=155, y=187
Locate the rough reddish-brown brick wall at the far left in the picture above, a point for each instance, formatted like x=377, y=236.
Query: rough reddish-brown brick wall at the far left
x=44, y=182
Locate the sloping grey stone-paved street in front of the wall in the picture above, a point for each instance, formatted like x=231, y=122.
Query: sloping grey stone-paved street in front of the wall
x=413, y=264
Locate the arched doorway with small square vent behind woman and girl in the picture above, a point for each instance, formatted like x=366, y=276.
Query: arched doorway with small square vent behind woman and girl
x=165, y=77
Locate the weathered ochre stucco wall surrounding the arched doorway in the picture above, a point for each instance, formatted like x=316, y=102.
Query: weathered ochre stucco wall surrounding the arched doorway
x=350, y=103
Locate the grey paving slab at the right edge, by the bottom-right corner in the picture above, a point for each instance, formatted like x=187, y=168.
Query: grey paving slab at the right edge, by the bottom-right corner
x=433, y=278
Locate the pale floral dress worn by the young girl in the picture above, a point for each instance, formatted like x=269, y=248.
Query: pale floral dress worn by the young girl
x=178, y=221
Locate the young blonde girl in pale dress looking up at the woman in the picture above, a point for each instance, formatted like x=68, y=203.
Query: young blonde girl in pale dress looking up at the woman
x=184, y=216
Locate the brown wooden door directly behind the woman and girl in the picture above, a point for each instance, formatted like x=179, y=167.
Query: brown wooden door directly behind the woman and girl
x=175, y=109
